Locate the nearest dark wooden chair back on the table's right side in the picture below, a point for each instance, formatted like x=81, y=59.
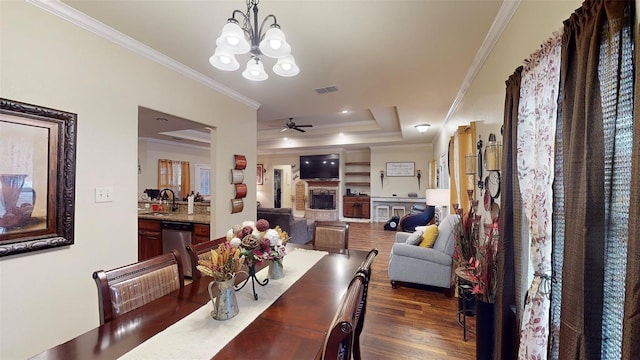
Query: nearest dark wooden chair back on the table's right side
x=338, y=343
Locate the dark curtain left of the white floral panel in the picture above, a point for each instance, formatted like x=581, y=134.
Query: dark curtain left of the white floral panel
x=507, y=328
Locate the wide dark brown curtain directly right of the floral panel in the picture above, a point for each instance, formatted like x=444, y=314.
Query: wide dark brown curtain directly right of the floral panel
x=584, y=175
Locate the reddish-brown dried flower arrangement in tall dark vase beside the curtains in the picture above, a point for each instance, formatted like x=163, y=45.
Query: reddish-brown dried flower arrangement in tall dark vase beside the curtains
x=483, y=268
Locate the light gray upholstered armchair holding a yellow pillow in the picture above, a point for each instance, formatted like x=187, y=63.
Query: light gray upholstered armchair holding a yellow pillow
x=426, y=266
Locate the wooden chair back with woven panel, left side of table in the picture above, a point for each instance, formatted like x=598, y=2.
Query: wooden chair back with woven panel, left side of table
x=128, y=287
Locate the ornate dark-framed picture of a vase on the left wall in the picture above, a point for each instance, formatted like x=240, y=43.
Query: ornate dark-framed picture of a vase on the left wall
x=37, y=177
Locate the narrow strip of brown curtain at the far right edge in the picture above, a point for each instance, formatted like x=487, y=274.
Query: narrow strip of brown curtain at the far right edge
x=631, y=319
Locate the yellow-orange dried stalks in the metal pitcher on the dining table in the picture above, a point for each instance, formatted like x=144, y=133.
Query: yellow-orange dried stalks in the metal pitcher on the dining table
x=225, y=262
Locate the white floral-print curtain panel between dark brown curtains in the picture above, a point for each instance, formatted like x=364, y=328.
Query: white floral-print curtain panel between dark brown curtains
x=537, y=115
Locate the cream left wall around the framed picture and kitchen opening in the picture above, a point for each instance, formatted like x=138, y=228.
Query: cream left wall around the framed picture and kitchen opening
x=49, y=297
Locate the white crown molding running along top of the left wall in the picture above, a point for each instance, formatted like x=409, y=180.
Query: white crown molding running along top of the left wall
x=80, y=19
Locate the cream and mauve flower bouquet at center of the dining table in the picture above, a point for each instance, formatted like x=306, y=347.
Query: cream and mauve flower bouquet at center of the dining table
x=258, y=242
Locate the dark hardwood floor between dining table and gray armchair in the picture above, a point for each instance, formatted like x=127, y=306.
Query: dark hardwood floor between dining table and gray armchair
x=408, y=322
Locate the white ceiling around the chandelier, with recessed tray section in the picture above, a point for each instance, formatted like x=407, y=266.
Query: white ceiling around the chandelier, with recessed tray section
x=396, y=64
